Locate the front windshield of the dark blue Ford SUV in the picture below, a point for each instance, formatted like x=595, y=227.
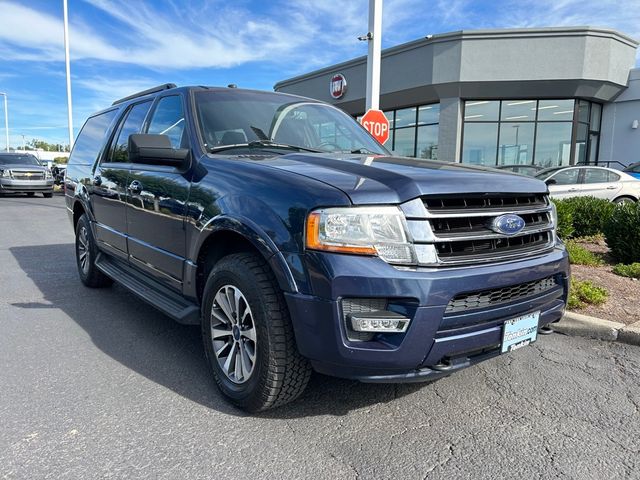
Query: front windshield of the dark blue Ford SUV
x=261, y=118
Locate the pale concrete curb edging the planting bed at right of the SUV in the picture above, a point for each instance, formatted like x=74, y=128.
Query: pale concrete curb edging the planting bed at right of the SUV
x=576, y=324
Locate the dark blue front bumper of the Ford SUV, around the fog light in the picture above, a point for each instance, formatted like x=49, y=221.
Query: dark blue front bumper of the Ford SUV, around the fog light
x=436, y=342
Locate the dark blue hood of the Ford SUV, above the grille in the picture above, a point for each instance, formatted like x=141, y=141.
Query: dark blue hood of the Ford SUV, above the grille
x=385, y=179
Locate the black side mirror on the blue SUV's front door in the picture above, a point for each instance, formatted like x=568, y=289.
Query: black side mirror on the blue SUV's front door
x=151, y=149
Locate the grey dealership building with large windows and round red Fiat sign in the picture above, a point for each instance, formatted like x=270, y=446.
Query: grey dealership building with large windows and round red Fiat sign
x=547, y=96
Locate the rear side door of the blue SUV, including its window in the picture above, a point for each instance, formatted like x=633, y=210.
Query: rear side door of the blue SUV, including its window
x=108, y=193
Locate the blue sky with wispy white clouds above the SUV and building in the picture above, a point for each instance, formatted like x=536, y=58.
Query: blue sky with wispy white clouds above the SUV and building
x=119, y=46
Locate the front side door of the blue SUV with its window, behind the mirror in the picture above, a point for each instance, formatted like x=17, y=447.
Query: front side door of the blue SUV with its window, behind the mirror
x=156, y=202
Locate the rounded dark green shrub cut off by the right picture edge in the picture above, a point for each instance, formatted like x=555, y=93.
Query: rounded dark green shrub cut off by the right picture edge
x=622, y=233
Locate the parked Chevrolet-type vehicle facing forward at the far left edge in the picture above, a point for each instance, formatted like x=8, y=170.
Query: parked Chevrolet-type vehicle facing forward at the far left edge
x=22, y=173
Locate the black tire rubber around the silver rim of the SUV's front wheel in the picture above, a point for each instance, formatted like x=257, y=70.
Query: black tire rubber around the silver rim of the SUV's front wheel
x=279, y=373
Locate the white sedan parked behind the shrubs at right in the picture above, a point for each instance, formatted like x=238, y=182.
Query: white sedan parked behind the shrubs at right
x=589, y=181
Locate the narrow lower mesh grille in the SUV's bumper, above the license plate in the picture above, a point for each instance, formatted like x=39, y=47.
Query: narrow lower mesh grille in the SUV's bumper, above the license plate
x=498, y=296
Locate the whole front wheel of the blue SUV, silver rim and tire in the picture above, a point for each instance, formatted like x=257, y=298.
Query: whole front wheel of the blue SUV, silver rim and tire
x=248, y=336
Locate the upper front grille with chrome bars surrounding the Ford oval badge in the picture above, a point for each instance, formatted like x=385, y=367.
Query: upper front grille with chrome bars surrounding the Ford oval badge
x=457, y=229
